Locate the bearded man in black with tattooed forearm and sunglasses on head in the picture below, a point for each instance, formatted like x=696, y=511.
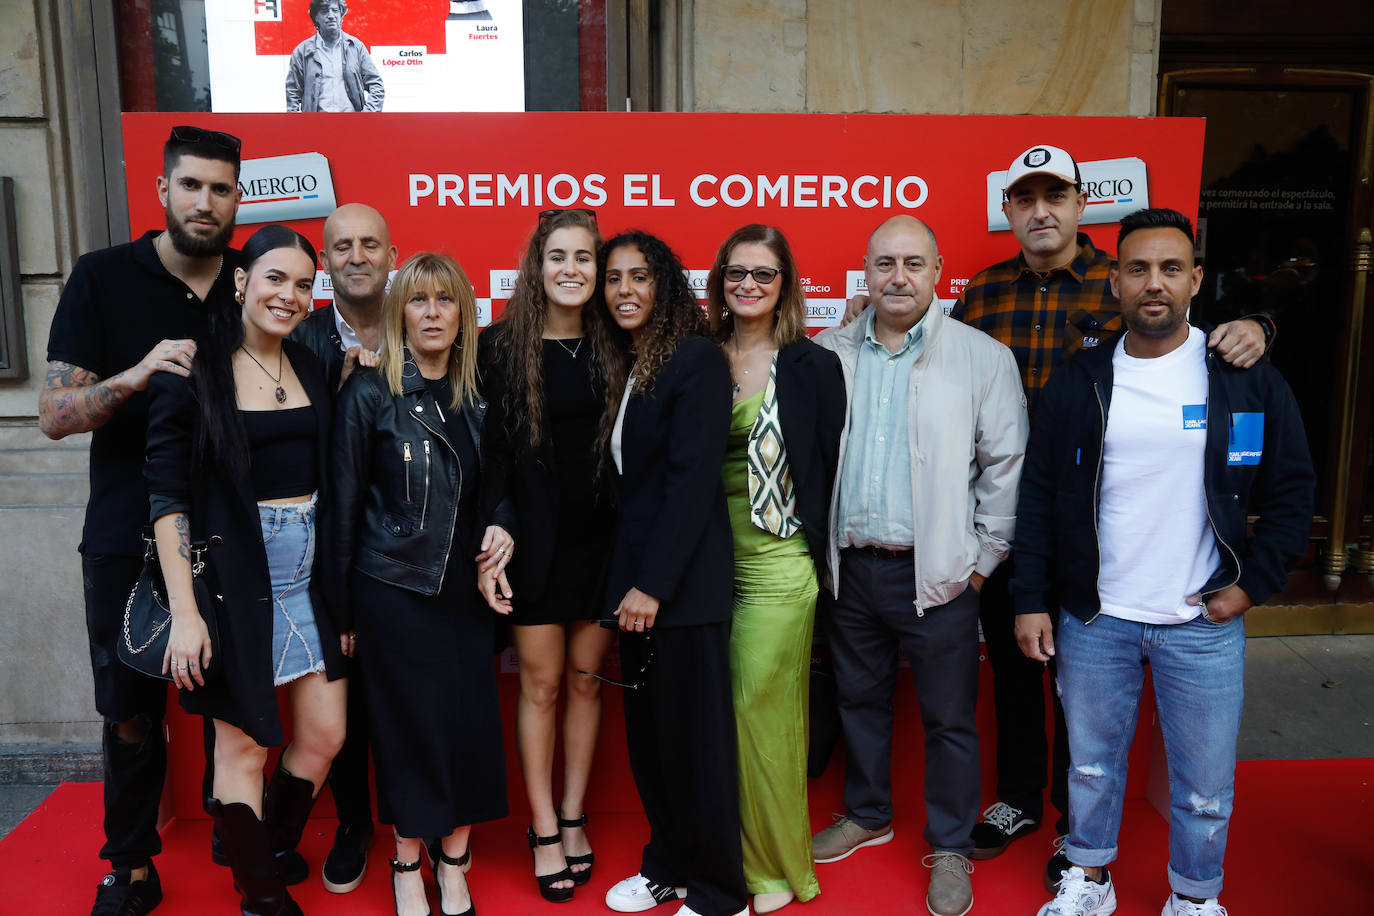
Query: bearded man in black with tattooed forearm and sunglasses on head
x=128, y=312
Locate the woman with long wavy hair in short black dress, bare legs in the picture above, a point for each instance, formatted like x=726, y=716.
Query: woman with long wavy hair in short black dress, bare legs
x=546, y=391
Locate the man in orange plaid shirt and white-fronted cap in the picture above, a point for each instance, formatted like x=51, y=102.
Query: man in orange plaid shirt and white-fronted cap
x=1048, y=303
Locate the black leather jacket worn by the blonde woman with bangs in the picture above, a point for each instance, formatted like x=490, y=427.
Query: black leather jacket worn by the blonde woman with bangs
x=395, y=487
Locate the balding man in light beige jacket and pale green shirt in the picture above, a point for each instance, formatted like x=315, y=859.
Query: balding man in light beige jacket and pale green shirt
x=923, y=513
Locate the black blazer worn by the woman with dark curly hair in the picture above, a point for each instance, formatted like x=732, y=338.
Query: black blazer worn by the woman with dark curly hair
x=674, y=539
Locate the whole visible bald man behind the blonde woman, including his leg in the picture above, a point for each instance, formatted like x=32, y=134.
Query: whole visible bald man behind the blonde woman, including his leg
x=359, y=256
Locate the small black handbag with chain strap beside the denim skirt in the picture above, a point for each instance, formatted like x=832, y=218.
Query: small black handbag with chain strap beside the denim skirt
x=148, y=621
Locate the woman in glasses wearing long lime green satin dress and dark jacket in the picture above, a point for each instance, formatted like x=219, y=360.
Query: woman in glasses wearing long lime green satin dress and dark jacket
x=789, y=411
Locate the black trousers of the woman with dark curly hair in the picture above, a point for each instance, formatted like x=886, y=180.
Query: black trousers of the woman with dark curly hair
x=681, y=735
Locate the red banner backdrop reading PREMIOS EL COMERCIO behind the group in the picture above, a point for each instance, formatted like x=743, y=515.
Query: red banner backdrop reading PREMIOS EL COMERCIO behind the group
x=475, y=185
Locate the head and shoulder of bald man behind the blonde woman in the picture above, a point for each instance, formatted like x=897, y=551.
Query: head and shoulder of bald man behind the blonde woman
x=361, y=257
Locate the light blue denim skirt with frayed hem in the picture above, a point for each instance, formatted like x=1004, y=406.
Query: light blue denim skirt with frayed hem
x=289, y=538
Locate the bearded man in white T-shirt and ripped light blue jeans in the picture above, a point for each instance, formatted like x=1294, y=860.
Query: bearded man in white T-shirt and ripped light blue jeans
x=1149, y=454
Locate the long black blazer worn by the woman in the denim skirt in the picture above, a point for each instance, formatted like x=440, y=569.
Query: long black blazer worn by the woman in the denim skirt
x=223, y=512
